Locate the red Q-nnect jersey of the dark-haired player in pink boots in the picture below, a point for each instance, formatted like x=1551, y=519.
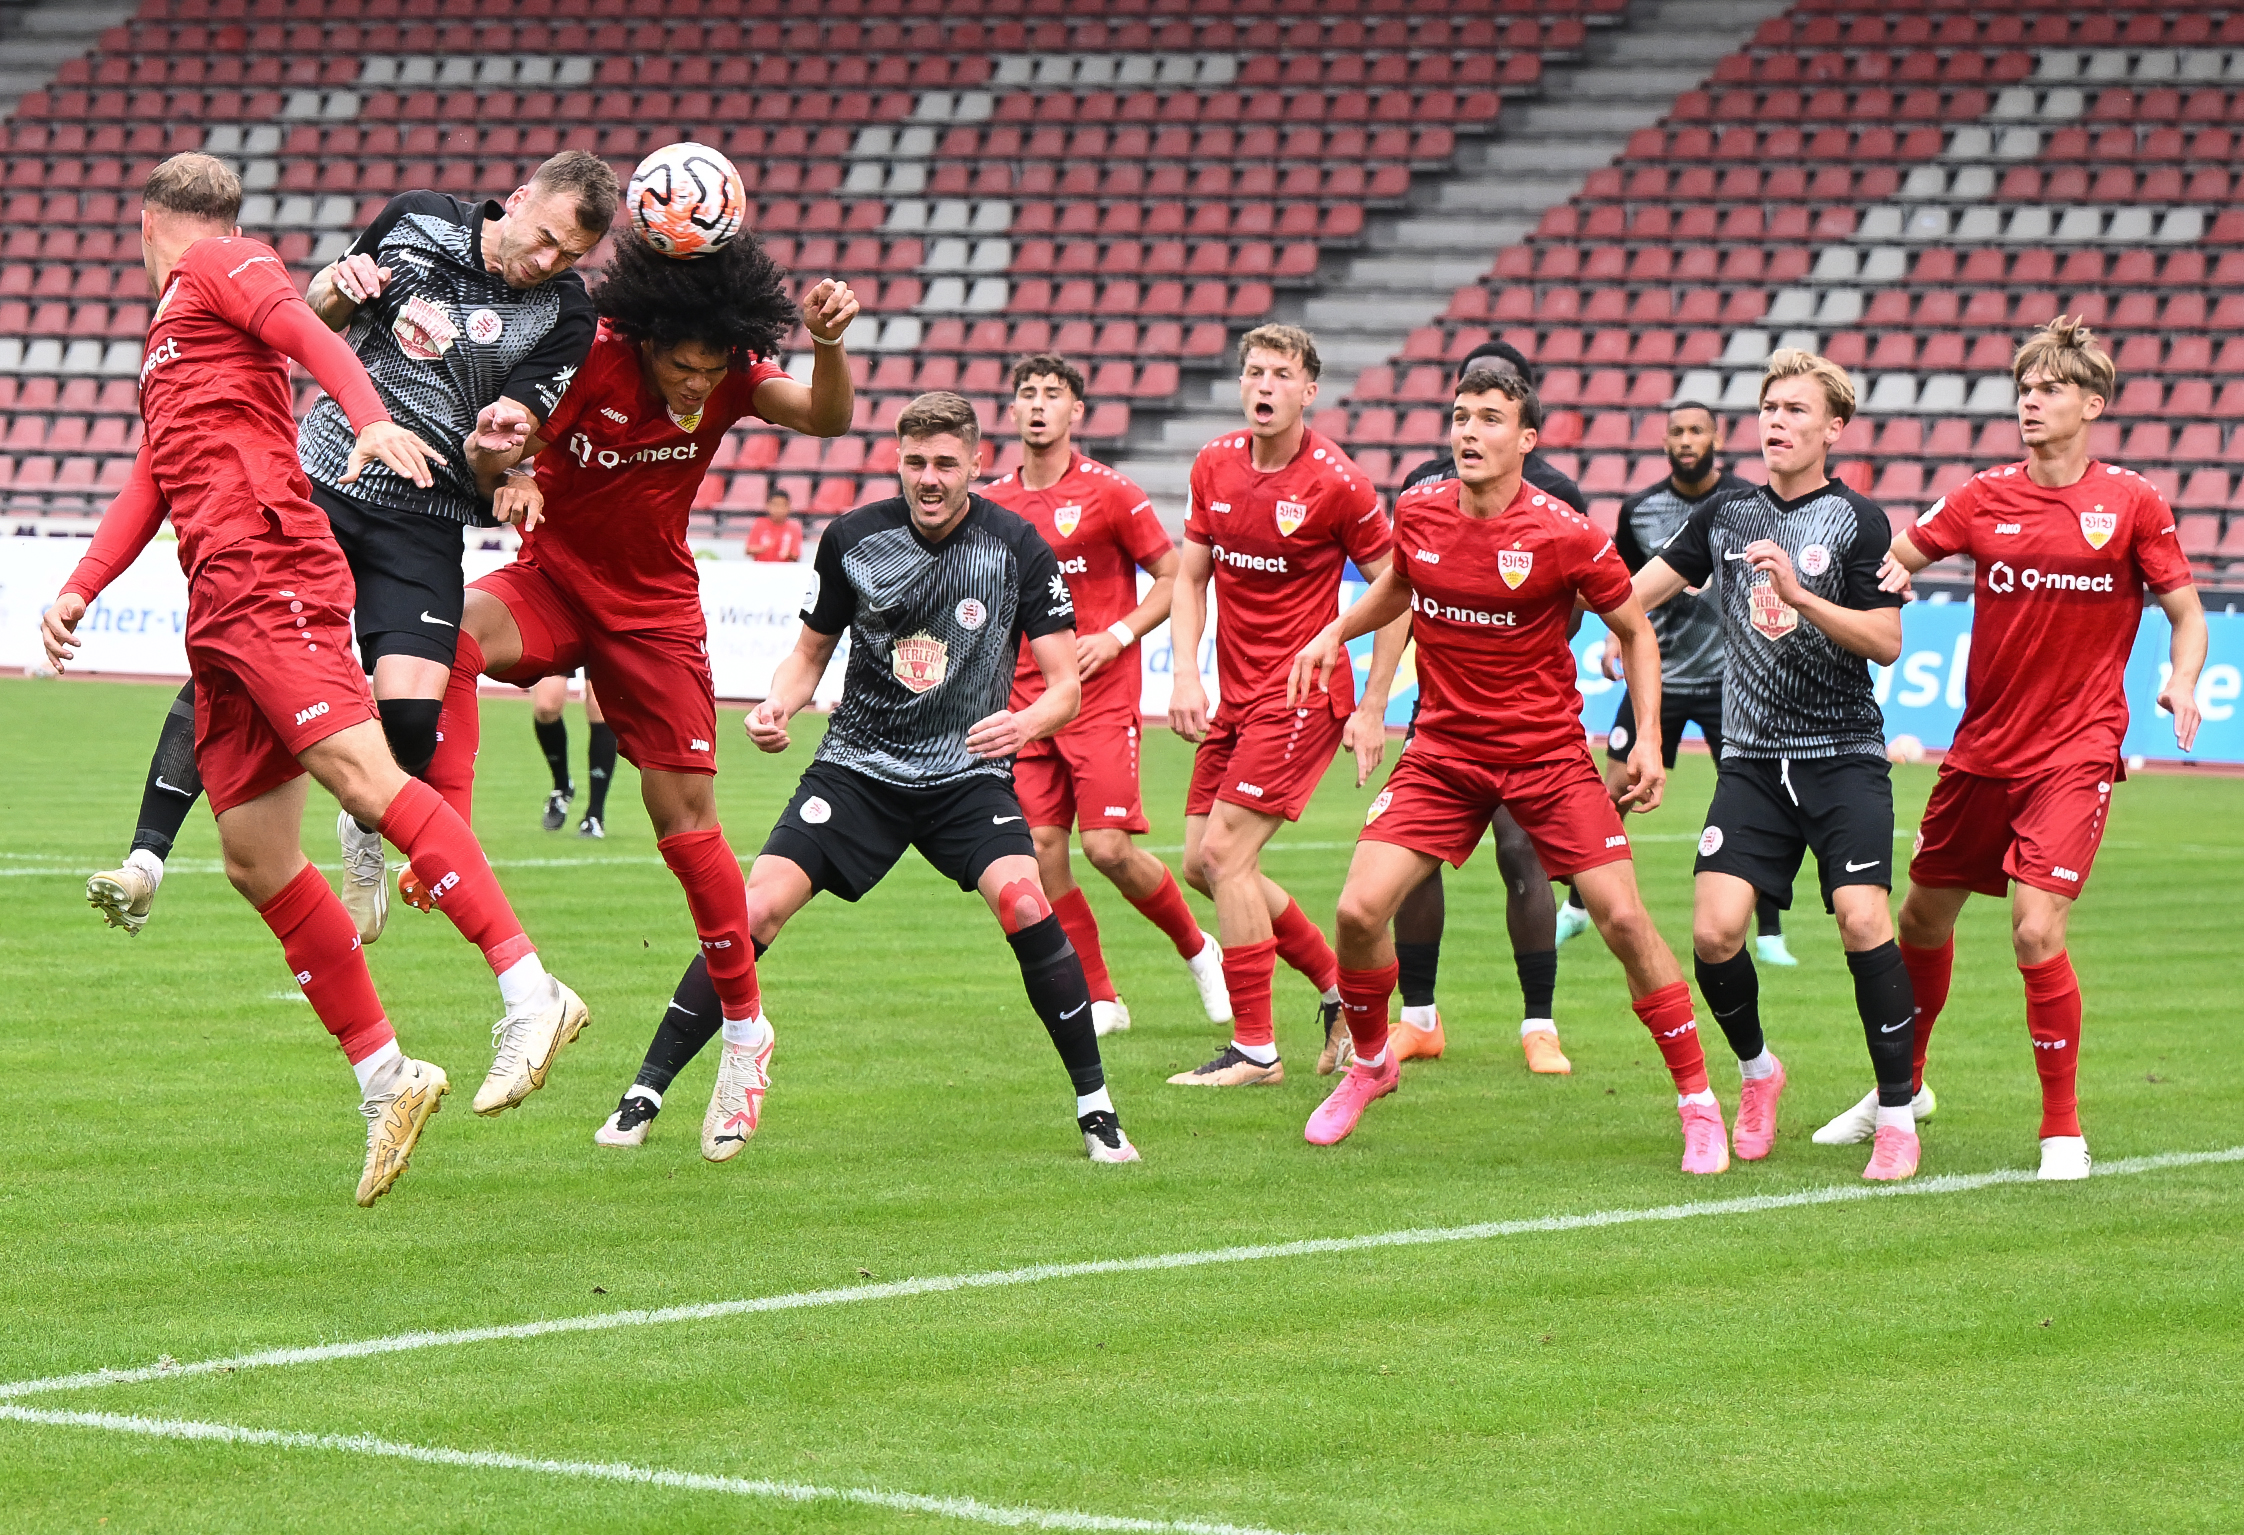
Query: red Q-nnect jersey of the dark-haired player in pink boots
x=1491, y=605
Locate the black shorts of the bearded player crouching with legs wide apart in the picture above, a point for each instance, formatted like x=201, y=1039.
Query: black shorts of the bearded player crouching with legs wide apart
x=847, y=829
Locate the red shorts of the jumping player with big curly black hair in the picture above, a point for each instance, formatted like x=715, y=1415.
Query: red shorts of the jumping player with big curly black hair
x=654, y=683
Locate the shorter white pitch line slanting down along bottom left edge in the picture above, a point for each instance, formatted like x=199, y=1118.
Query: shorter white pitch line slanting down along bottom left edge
x=616, y=1471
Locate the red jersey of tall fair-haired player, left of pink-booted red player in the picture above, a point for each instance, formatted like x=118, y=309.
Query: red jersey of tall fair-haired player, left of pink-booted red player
x=1280, y=542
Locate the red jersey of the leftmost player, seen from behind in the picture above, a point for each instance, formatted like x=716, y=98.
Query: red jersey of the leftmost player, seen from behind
x=217, y=403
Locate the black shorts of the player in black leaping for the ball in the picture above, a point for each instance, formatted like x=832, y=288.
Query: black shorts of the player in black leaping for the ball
x=407, y=567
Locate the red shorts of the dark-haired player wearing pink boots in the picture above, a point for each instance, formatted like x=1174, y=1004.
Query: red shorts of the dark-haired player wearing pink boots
x=1442, y=807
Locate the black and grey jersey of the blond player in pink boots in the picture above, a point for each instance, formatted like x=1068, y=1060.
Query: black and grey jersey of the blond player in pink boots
x=1787, y=690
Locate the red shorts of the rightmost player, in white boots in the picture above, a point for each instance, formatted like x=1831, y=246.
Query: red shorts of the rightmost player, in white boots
x=2043, y=831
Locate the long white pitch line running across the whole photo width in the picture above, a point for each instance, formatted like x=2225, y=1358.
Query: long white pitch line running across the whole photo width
x=899, y=1289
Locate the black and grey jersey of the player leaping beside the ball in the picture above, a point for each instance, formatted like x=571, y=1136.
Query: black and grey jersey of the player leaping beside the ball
x=441, y=342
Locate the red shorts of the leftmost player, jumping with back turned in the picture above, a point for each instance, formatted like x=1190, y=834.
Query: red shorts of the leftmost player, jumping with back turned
x=268, y=643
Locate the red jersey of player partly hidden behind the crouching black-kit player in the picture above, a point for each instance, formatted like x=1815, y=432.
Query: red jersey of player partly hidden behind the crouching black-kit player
x=1103, y=531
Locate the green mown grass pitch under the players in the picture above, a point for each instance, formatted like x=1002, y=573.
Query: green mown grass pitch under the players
x=178, y=1155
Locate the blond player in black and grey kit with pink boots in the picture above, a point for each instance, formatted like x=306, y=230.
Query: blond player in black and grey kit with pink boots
x=1792, y=569
